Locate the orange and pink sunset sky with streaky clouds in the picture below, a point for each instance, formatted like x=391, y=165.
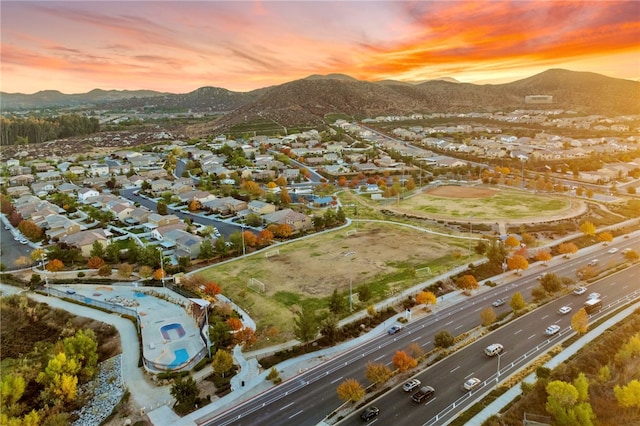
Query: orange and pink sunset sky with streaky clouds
x=171, y=46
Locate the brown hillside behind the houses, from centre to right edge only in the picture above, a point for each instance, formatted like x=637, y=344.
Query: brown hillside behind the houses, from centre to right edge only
x=308, y=101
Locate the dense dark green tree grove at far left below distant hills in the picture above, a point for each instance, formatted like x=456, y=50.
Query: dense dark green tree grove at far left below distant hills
x=19, y=130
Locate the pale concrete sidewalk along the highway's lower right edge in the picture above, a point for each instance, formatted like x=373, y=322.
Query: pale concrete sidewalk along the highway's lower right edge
x=567, y=353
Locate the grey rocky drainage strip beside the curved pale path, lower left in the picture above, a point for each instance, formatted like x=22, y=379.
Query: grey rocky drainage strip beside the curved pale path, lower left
x=103, y=393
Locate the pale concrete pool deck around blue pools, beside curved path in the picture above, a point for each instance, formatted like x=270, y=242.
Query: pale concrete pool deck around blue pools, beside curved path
x=156, y=307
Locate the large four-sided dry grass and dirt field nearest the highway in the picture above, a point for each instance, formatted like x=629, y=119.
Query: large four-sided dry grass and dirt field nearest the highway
x=309, y=270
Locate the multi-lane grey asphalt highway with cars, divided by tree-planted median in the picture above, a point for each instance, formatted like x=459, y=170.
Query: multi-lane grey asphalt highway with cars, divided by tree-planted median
x=309, y=397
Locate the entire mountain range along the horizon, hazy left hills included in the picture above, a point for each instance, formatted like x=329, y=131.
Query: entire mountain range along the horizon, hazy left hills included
x=309, y=100
